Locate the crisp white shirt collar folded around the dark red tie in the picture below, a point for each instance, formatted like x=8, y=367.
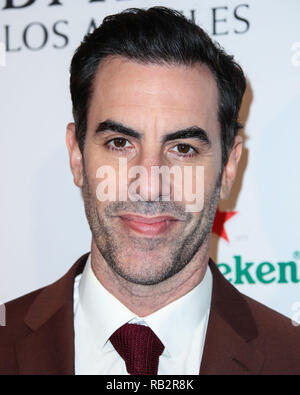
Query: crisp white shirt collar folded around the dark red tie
x=104, y=313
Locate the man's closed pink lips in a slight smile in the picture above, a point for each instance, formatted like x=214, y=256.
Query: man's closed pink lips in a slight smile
x=149, y=226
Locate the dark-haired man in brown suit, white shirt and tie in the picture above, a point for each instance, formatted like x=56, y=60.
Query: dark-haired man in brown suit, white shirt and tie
x=150, y=90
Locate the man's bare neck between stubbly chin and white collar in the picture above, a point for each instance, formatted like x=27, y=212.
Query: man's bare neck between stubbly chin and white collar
x=143, y=300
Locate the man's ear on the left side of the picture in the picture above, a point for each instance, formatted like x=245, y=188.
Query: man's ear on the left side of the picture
x=75, y=155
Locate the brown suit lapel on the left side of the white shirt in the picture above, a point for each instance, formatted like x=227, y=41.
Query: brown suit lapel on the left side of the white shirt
x=49, y=347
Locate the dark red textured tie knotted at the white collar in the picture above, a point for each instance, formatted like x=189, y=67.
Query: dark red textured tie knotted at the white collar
x=139, y=347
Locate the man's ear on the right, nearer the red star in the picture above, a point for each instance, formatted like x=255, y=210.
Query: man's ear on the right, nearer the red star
x=230, y=168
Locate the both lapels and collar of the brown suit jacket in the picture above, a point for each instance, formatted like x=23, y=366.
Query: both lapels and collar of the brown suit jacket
x=49, y=347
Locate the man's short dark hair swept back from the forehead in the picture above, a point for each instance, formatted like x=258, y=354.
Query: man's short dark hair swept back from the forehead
x=157, y=35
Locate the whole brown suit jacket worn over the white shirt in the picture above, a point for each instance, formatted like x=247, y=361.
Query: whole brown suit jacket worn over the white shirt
x=243, y=336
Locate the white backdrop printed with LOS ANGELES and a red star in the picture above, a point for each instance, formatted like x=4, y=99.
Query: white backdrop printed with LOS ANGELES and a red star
x=43, y=230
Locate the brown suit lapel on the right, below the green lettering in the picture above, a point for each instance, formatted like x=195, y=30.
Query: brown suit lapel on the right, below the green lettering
x=231, y=328
